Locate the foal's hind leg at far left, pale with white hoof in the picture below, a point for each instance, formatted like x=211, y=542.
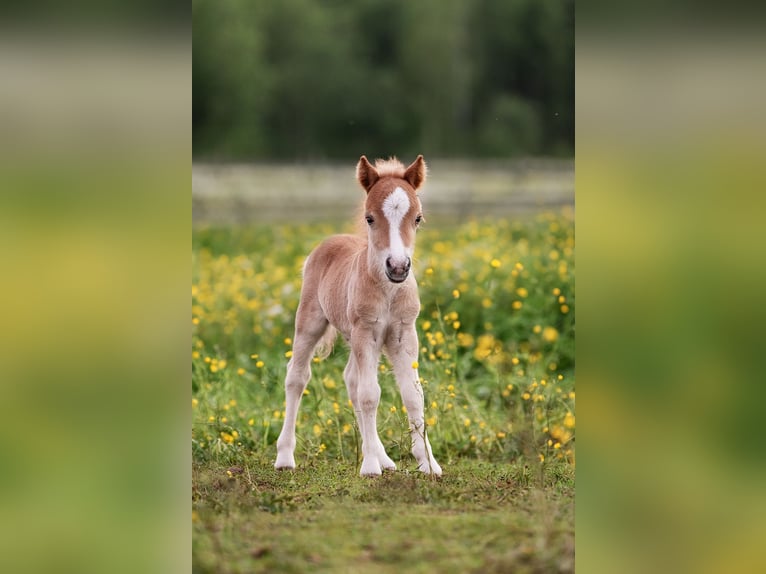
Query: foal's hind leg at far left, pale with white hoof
x=310, y=324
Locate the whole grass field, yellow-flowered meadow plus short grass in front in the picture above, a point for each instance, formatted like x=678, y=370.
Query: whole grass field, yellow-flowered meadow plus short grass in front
x=497, y=366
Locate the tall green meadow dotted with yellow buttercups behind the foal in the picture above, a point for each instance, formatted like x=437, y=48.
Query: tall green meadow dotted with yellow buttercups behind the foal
x=496, y=332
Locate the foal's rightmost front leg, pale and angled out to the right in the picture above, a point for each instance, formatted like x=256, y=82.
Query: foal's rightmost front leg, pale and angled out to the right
x=402, y=350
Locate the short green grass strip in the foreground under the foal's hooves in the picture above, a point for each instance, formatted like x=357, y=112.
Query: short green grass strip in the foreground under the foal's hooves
x=480, y=517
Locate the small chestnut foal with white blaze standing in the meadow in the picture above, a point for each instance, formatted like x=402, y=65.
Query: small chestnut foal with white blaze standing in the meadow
x=362, y=287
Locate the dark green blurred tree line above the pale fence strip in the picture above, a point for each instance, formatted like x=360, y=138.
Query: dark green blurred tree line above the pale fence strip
x=325, y=79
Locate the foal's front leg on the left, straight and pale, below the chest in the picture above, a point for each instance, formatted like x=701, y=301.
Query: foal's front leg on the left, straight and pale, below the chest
x=365, y=351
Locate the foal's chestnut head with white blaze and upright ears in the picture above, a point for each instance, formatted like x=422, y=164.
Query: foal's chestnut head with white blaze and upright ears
x=393, y=213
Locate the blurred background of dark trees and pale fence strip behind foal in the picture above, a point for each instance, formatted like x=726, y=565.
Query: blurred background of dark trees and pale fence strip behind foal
x=288, y=95
